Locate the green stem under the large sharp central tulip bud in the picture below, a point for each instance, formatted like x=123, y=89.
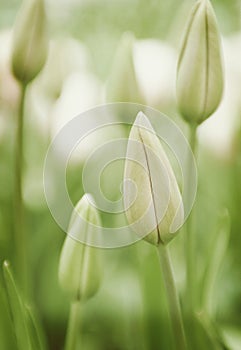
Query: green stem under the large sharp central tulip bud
x=173, y=300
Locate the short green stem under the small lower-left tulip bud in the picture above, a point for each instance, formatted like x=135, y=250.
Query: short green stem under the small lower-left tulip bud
x=73, y=327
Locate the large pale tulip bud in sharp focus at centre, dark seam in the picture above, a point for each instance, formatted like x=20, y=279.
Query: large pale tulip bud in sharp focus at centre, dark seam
x=152, y=199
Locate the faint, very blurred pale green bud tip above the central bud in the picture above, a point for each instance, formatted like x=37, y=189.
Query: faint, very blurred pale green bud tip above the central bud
x=122, y=84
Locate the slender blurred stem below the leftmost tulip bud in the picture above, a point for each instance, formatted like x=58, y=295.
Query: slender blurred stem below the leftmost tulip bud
x=20, y=233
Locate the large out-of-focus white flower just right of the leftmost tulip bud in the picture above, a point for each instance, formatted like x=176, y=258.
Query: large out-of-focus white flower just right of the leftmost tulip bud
x=65, y=87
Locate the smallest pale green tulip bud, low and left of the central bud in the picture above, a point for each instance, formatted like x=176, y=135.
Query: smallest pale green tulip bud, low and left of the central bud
x=79, y=266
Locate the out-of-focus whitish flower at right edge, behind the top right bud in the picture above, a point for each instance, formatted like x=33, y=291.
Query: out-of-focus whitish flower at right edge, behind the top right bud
x=226, y=120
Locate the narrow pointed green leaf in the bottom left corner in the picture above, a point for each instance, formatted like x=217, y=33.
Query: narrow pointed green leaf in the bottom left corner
x=16, y=309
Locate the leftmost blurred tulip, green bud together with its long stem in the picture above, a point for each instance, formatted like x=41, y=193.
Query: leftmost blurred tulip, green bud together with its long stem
x=28, y=58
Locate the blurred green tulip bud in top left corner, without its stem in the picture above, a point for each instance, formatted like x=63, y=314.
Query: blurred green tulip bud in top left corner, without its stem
x=30, y=41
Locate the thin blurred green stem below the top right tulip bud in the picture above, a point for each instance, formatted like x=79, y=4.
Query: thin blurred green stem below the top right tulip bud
x=190, y=235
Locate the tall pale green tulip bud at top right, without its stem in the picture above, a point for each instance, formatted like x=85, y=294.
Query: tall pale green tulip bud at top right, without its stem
x=200, y=68
